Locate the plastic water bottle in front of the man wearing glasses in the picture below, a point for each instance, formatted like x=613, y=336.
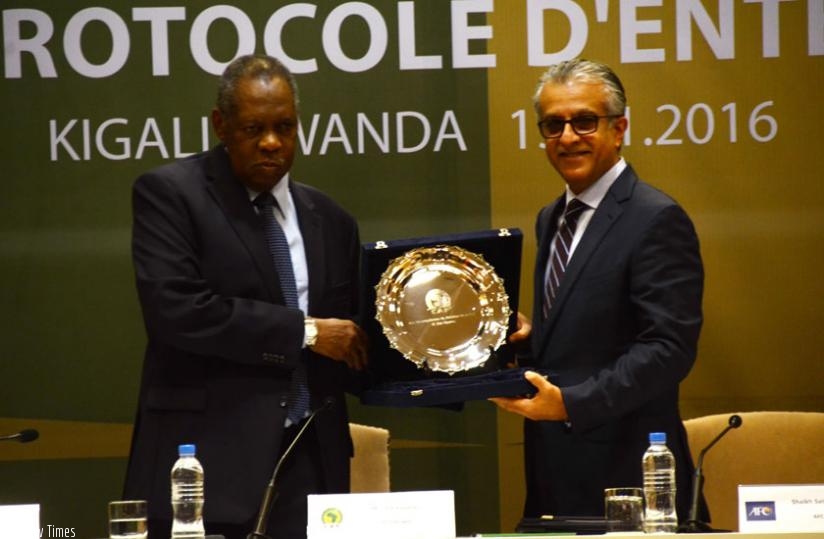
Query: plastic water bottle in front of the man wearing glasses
x=659, y=486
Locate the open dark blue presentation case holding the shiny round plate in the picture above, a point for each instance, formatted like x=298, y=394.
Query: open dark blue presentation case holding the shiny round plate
x=401, y=383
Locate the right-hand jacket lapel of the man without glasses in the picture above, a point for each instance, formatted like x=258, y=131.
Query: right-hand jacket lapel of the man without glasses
x=313, y=242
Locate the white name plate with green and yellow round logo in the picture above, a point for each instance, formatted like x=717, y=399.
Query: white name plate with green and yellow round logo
x=395, y=515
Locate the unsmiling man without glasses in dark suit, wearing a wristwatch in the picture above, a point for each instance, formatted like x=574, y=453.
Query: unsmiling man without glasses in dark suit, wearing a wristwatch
x=244, y=340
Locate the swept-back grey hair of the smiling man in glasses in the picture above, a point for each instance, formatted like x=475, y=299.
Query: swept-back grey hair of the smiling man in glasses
x=587, y=71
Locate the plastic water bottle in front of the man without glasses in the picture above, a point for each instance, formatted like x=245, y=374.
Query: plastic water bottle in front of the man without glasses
x=187, y=495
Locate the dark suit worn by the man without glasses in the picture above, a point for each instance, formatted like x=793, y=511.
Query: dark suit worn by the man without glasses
x=221, y=345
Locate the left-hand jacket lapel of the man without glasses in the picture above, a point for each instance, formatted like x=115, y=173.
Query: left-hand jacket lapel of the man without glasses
x=233, y=198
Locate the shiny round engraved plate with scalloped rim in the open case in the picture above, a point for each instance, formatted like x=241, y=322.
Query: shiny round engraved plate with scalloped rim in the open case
x=444, y=308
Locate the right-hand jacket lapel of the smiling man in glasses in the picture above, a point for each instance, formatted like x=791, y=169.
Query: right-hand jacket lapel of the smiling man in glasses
x=605, y=216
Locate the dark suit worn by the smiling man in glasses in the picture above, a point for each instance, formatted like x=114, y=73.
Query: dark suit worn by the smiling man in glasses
x=619, y=338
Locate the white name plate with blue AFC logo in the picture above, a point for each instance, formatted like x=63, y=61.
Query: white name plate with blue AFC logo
x=781, y=508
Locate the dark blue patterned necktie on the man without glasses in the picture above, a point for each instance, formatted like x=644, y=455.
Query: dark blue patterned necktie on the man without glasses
x=298, y=401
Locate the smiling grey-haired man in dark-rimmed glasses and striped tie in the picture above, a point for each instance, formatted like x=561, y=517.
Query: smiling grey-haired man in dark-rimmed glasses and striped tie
x=617, y=308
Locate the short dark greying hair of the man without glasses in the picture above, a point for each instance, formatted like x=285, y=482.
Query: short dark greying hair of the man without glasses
x=252, y=66
